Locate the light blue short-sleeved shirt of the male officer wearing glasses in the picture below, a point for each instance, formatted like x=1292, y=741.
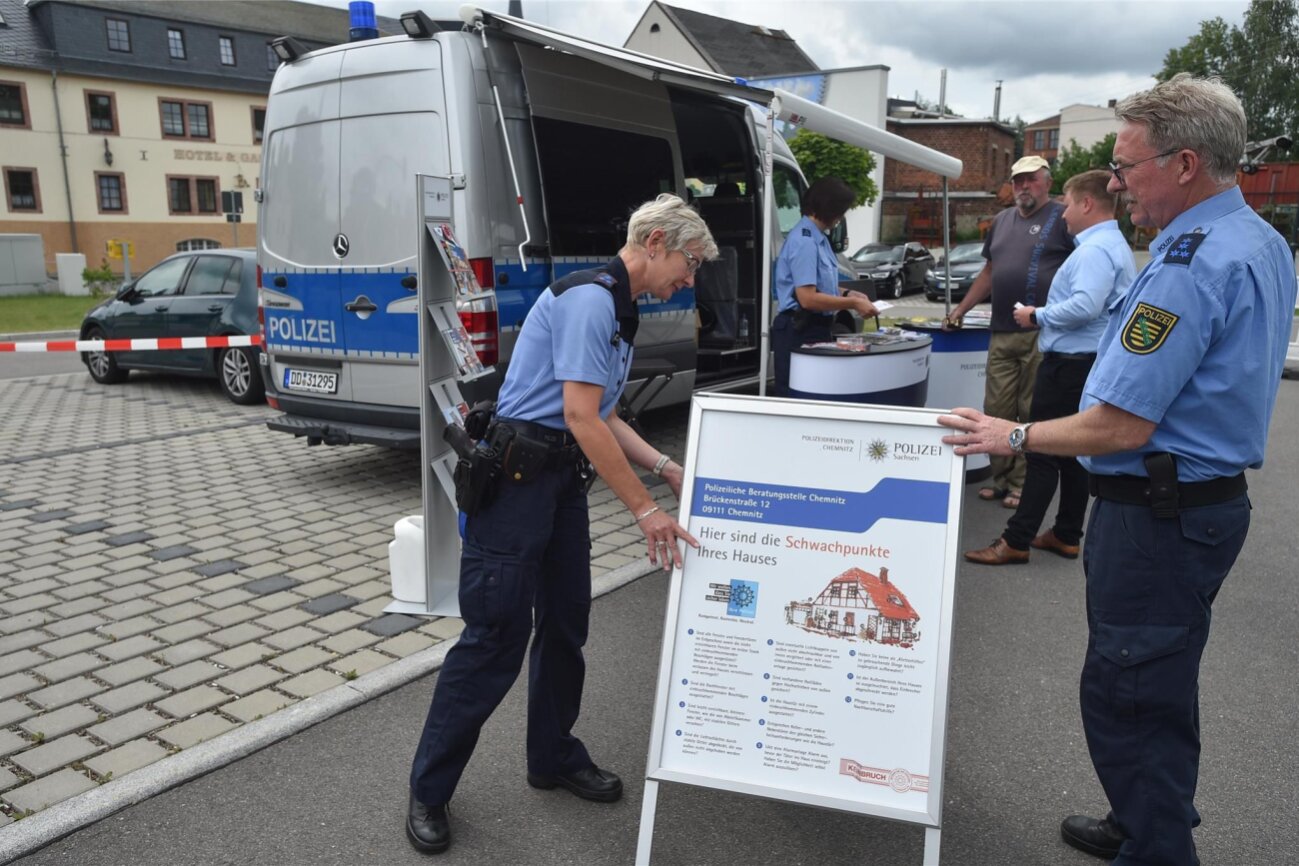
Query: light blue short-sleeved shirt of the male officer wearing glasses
x=1200, y=342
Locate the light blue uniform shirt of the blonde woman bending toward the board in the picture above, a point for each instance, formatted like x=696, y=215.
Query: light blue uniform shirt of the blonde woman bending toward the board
x=571, y=338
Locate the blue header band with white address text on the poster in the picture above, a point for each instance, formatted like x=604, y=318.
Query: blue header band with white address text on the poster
x=898, y=499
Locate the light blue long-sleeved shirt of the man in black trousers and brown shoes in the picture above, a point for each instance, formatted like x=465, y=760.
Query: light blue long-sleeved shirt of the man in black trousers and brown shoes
x=1089, y=282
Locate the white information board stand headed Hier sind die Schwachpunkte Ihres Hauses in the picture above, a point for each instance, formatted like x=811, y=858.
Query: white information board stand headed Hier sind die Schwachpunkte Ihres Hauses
x=807, y=643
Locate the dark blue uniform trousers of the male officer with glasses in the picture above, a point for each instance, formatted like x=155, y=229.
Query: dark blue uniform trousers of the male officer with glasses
x=1152, y=586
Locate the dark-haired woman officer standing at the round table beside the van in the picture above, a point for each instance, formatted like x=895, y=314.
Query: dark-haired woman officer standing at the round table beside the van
x=807, y=278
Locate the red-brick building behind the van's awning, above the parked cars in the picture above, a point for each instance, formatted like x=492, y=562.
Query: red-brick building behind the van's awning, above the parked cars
x=913, y=198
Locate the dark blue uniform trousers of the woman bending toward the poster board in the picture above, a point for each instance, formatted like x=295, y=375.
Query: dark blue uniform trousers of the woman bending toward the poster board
x=525, y=568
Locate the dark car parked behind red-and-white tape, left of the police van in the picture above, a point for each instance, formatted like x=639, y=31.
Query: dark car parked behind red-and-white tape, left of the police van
x=212, y=293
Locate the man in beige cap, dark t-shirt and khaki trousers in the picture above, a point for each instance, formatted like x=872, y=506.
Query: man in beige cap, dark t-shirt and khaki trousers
x=1024, y=249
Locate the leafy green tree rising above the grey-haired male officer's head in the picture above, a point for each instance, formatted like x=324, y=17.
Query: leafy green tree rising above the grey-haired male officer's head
x=1258, y=60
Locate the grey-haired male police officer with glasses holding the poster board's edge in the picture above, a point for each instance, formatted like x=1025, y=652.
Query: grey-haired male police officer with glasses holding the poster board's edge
x=1176, y=408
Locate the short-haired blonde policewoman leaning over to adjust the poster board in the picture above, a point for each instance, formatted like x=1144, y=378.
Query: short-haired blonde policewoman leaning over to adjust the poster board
x=527, y=554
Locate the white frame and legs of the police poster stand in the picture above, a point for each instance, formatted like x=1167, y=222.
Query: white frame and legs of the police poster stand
x=929, y=815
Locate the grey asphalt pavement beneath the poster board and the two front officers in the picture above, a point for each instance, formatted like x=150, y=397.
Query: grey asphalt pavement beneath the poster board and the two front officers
x=1016, y=761
